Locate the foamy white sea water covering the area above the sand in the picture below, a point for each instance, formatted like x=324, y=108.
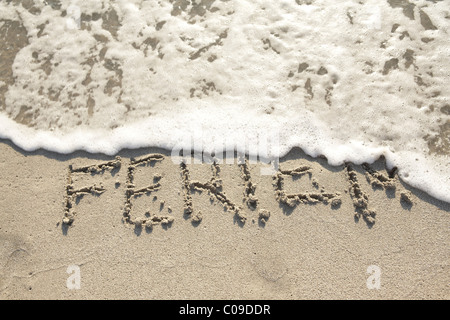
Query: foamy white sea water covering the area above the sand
x=350, y=80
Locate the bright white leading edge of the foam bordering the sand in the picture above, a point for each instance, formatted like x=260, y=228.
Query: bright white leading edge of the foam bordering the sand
x=424, y=176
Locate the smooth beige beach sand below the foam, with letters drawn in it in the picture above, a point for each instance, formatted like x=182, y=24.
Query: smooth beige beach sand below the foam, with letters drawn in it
x=297, y=240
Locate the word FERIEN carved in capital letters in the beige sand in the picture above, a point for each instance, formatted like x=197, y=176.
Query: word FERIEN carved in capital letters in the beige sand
x=214, y=188
